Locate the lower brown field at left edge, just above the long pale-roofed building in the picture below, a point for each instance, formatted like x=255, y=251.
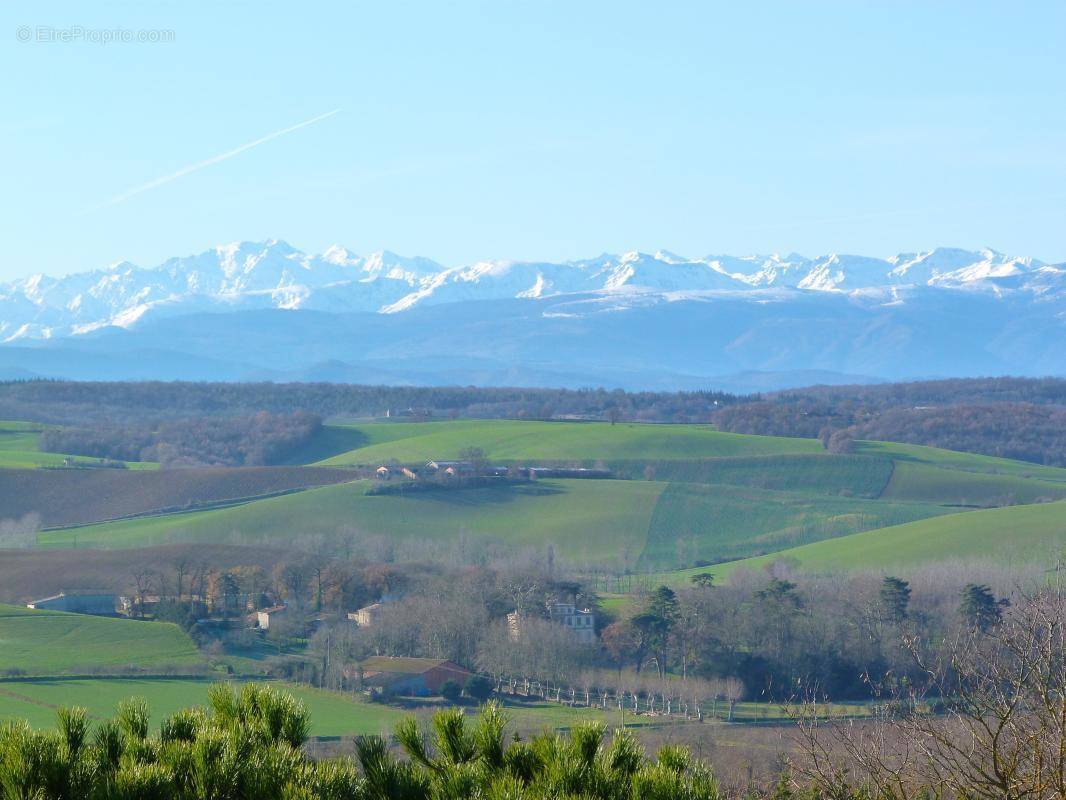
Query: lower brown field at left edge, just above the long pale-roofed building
x=27, y=574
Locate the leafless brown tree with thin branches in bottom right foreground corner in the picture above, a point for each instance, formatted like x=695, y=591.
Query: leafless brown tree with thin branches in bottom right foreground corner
x=990, y=722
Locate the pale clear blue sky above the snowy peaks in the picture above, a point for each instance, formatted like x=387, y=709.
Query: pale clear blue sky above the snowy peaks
x=534, y=130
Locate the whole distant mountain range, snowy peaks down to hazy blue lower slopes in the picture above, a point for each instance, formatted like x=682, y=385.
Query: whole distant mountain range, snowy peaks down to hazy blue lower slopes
x=270, y=312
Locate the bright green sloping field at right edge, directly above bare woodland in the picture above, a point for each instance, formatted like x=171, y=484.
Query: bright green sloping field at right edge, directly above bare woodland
x=1017, y=535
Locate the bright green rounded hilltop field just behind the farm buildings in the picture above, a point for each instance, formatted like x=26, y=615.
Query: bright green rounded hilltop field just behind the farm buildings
x=508, y=440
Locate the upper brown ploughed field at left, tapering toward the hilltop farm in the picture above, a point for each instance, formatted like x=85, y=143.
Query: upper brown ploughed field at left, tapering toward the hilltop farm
x=78, y=497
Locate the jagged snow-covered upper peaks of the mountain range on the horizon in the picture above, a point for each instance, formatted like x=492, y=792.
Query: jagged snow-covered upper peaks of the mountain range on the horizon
x=273, y=275
